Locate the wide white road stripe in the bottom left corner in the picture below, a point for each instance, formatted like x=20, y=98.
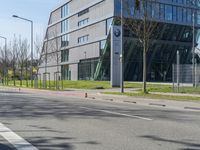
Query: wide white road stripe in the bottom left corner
x=18, y=142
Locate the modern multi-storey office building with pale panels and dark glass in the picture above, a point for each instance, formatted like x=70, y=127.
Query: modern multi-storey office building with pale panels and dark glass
x=78, y=44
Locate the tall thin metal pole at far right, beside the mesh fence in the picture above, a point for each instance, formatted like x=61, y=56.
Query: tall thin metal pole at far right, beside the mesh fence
x=193, y=48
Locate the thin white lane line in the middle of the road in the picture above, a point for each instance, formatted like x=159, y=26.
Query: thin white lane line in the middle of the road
x=116, y=113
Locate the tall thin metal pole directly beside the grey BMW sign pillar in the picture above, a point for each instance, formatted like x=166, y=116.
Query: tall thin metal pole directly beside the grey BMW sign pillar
x=122, y=56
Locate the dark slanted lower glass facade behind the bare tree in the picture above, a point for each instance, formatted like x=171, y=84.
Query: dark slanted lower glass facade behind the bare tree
x=161, y=55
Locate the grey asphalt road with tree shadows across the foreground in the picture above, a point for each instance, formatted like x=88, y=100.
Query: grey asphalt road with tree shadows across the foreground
x=35, y=121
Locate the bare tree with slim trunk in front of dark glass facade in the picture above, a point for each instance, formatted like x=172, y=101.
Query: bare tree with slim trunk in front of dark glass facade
x=142, y=21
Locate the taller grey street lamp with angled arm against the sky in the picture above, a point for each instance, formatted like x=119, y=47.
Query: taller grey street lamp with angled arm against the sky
x=15, y=16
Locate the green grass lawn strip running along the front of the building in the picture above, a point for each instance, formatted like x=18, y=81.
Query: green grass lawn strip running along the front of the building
x=106, y=85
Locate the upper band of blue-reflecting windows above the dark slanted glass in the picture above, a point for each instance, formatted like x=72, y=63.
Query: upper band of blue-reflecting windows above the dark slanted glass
x=179, y=11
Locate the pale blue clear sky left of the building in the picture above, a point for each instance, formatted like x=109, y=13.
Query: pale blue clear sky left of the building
x=36, y=10
